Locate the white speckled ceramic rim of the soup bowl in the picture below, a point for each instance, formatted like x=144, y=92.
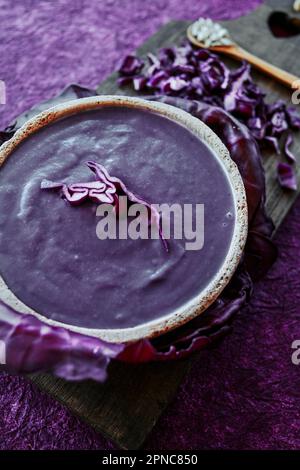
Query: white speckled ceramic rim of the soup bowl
x=206, y=297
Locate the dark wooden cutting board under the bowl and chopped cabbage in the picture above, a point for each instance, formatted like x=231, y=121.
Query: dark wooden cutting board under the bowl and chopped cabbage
x=127, y=406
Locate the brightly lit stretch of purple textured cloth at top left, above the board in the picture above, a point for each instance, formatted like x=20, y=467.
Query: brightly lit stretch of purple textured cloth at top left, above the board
x=46, y=45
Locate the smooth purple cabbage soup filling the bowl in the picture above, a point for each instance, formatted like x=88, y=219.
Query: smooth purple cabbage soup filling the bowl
x=50, y=255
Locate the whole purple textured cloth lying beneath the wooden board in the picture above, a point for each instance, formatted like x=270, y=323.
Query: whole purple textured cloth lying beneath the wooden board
x=244, y=393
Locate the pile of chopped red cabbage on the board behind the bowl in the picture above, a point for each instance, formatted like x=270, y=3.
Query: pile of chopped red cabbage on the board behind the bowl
x=198, y=74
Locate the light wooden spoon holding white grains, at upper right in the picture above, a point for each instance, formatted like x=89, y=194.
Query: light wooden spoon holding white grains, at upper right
x=237, y=52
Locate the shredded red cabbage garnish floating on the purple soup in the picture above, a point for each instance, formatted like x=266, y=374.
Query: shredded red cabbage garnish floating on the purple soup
x=105, y=190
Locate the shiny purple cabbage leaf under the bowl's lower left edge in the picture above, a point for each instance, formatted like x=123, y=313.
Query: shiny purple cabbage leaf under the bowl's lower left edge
x=33, y=346
